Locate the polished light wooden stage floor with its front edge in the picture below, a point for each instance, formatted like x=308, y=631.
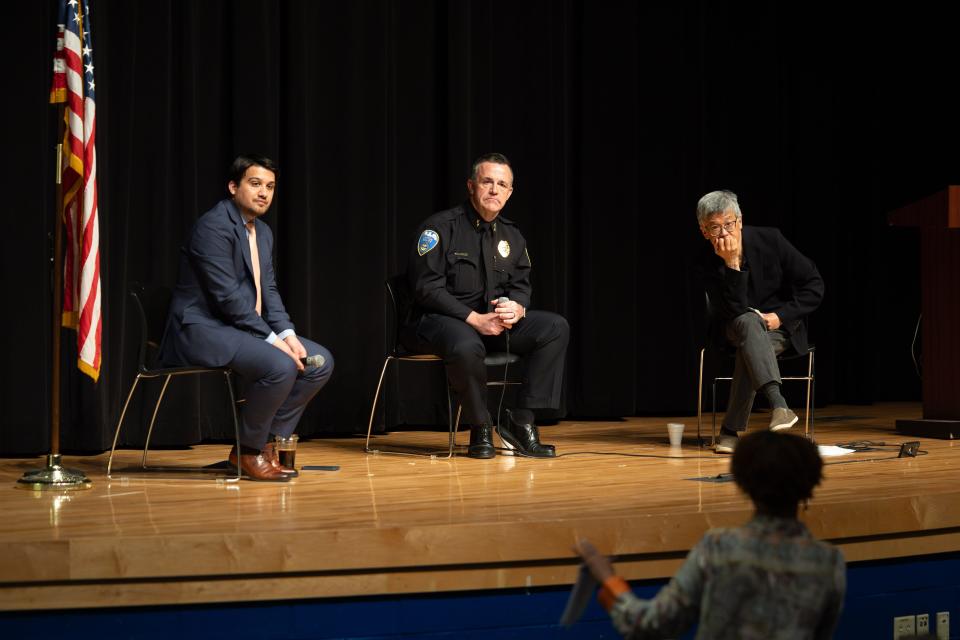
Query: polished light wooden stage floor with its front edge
x=387, y=524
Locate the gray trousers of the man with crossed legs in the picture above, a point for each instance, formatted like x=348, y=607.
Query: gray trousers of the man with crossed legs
x=756, y=364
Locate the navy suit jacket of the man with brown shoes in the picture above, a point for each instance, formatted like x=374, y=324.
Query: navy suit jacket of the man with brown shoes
x=214, y=302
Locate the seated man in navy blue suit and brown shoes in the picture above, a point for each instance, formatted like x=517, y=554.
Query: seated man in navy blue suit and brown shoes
x=226, y=311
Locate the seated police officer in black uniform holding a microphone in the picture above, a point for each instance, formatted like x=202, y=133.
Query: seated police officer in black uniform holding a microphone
x=464, y=261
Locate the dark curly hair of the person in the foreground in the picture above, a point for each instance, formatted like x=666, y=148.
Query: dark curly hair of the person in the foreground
x=777, y=470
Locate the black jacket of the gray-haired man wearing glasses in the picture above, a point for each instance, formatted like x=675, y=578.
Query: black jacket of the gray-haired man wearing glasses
x=775, y=278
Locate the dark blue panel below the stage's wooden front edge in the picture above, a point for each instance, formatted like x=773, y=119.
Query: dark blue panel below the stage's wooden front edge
x=876, y=592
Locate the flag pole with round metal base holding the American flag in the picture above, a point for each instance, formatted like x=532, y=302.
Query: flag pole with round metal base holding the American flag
x=54, y=475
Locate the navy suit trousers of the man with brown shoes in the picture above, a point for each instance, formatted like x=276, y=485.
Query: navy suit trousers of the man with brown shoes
x=275, y=393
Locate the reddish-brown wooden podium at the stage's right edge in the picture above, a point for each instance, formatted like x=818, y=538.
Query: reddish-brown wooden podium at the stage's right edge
x=938, y=217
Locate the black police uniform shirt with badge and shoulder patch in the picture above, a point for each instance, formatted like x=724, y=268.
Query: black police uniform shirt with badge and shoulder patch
x=460, y=263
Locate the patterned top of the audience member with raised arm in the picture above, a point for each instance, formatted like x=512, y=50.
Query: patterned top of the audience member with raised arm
x=768, y=579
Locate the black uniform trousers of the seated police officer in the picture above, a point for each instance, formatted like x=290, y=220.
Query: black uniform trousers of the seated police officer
x=541, y=338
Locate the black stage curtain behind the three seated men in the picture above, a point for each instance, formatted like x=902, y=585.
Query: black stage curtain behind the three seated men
x=617, y=115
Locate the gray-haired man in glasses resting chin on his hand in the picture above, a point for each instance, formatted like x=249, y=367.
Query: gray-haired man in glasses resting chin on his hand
x=761, y=290
